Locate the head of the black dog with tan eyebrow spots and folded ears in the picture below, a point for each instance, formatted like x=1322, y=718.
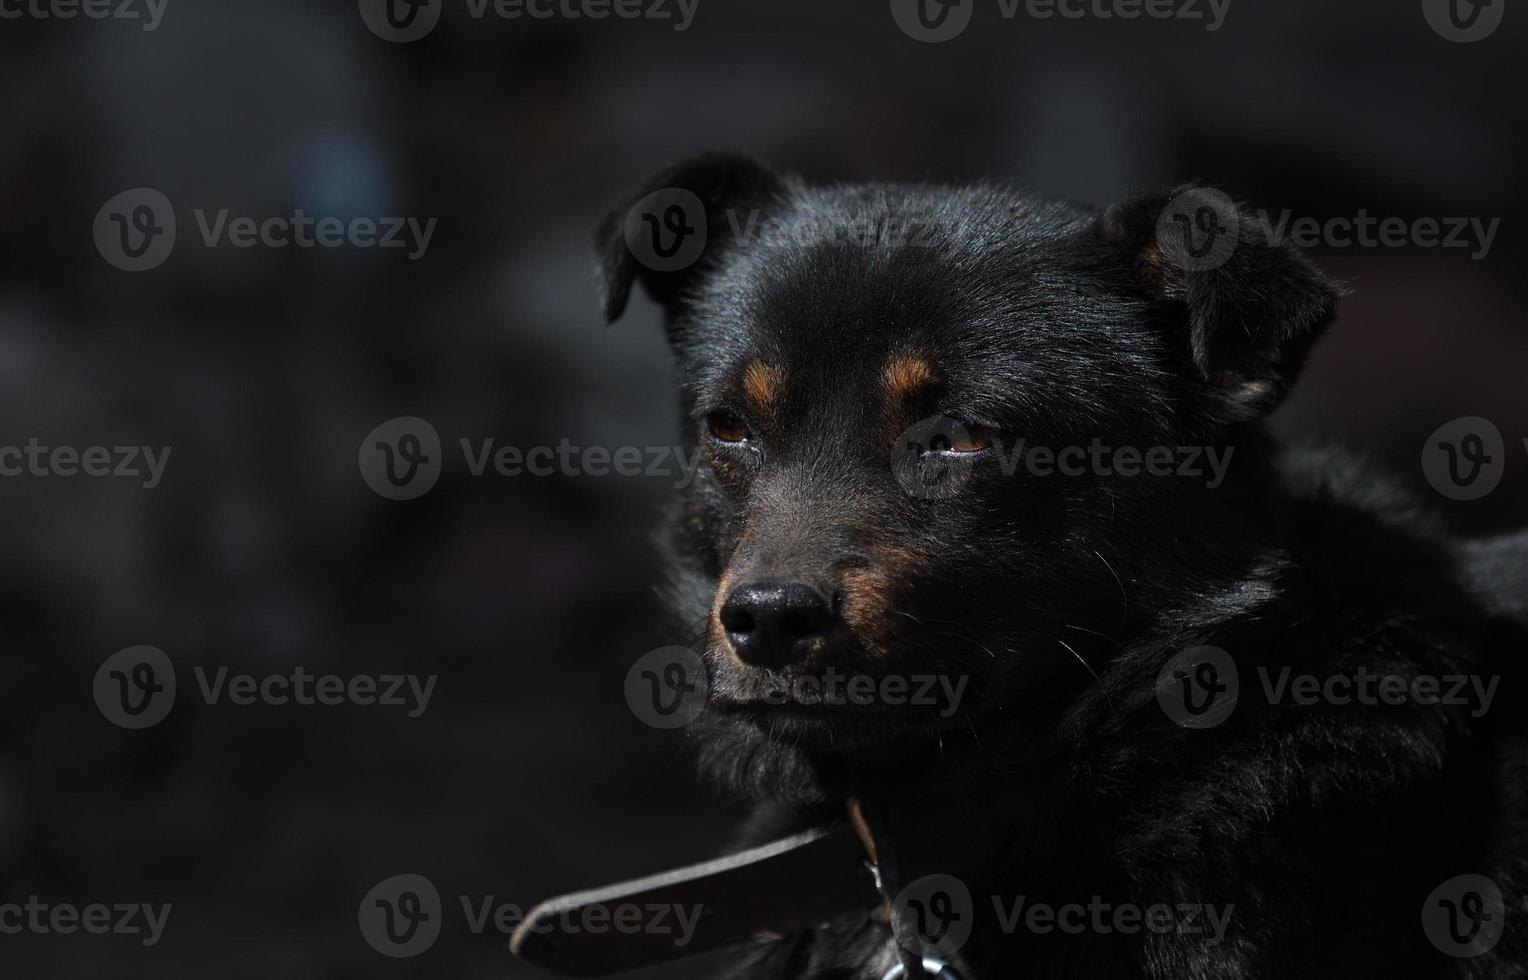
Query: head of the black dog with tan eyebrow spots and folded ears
x=957, y=443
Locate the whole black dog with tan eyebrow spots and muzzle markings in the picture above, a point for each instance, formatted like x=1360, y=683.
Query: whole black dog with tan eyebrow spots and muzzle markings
x=991, y=536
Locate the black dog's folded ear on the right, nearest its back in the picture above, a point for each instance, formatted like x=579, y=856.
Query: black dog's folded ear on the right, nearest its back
x=1249, y=307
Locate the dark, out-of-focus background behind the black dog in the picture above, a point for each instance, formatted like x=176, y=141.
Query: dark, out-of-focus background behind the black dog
x=264, y=369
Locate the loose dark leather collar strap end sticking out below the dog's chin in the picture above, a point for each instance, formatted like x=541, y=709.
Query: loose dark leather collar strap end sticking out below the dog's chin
x=772, y=891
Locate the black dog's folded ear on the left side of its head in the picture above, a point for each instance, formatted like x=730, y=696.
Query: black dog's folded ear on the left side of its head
x=679, y=224
